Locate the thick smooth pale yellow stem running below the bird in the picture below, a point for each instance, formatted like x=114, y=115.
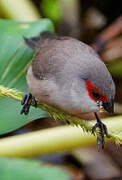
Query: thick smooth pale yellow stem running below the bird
x=53, y=140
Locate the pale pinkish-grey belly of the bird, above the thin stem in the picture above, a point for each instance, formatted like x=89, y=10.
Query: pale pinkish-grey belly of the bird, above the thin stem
x=49, y=93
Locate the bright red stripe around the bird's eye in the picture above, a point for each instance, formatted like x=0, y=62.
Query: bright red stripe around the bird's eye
x=90, y=87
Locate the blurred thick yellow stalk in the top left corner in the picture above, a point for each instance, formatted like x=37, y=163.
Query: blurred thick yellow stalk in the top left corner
x=22, y=10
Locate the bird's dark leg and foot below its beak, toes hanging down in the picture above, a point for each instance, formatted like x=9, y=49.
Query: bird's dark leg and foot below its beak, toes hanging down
x=103, y=131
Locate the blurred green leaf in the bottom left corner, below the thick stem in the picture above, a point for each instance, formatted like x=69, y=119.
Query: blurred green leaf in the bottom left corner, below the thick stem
x=16, y=169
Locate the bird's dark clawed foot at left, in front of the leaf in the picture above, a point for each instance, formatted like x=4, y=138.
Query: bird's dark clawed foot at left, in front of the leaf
x=26, y=102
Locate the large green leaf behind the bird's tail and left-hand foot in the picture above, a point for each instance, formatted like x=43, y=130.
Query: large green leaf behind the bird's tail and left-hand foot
x=15, y=57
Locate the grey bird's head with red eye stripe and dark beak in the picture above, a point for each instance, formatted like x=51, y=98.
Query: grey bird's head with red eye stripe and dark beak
x=95, y=87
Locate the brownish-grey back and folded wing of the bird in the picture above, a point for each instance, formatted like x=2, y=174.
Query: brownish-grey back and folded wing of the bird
x=54, y=54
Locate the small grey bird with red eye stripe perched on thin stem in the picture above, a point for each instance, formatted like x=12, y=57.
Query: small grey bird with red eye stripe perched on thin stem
x=69, y=75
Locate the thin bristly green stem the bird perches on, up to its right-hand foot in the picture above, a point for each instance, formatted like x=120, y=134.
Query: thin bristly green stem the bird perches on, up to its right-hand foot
x=56, y=114
